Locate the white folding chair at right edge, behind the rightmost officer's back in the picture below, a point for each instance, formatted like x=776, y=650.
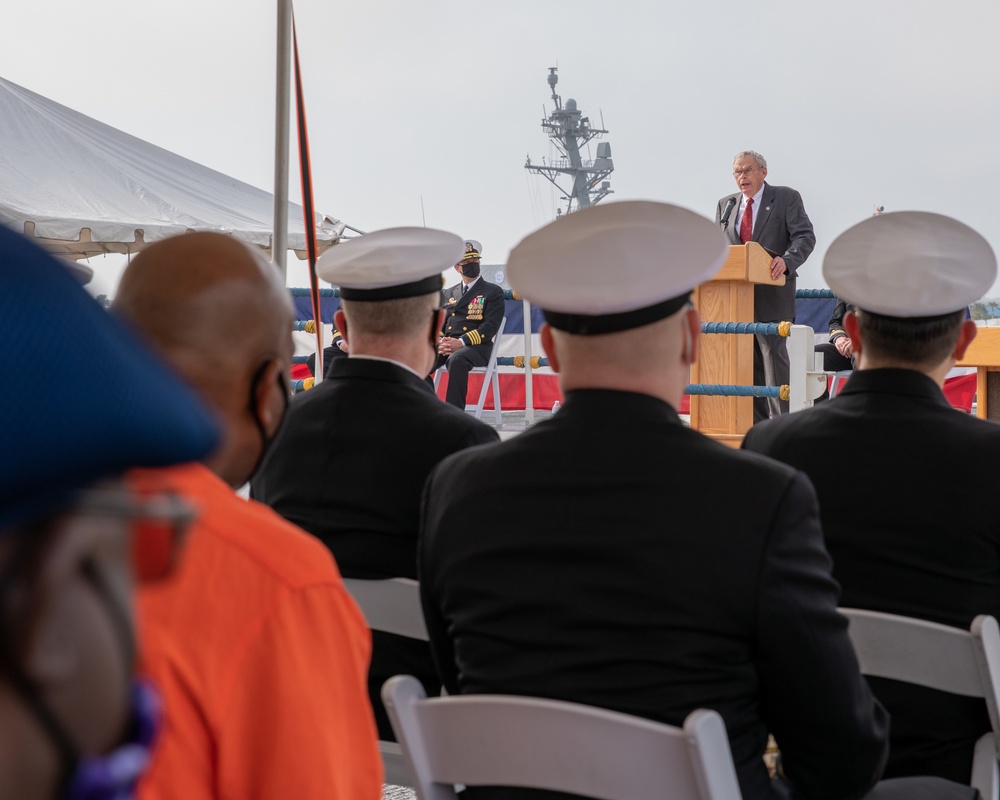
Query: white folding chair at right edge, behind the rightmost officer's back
x=938, y=657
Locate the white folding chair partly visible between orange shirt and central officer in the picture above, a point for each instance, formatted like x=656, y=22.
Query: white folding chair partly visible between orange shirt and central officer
x=391, y=605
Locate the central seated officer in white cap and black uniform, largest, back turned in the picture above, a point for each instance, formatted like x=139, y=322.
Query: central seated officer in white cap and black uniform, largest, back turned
x=645, y=568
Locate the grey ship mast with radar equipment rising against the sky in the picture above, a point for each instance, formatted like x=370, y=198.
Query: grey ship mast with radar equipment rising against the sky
x=569, y=130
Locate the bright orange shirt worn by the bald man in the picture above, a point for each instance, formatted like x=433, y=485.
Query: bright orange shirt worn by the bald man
x=262, y=658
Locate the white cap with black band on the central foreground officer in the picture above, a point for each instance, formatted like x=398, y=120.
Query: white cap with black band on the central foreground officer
x=616, y=266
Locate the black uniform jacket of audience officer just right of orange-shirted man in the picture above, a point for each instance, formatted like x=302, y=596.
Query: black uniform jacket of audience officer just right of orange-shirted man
x=349, y=466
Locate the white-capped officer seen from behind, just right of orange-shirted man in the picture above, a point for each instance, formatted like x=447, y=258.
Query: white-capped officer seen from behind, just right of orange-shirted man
x=352, y=459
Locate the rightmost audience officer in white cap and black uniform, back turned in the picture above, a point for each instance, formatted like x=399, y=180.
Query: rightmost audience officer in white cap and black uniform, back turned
x=920, y=534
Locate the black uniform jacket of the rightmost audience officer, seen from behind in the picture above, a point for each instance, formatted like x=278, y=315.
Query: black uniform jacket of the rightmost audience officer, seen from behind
x=909, y=497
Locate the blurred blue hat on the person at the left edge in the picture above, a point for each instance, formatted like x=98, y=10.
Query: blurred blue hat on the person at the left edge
x=80, y=399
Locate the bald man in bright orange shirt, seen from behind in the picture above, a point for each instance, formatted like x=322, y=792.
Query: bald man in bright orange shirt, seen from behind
x=261, y=654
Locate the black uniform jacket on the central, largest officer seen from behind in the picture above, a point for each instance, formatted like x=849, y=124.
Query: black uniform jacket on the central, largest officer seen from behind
x=628, y=562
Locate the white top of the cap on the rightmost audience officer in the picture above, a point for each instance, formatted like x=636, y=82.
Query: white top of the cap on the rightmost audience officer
x=910, y=264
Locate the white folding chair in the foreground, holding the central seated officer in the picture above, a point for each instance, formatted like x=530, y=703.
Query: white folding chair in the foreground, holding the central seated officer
x=506, y=740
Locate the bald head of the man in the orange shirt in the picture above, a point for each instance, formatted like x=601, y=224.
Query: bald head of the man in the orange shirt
x=218, y=312
